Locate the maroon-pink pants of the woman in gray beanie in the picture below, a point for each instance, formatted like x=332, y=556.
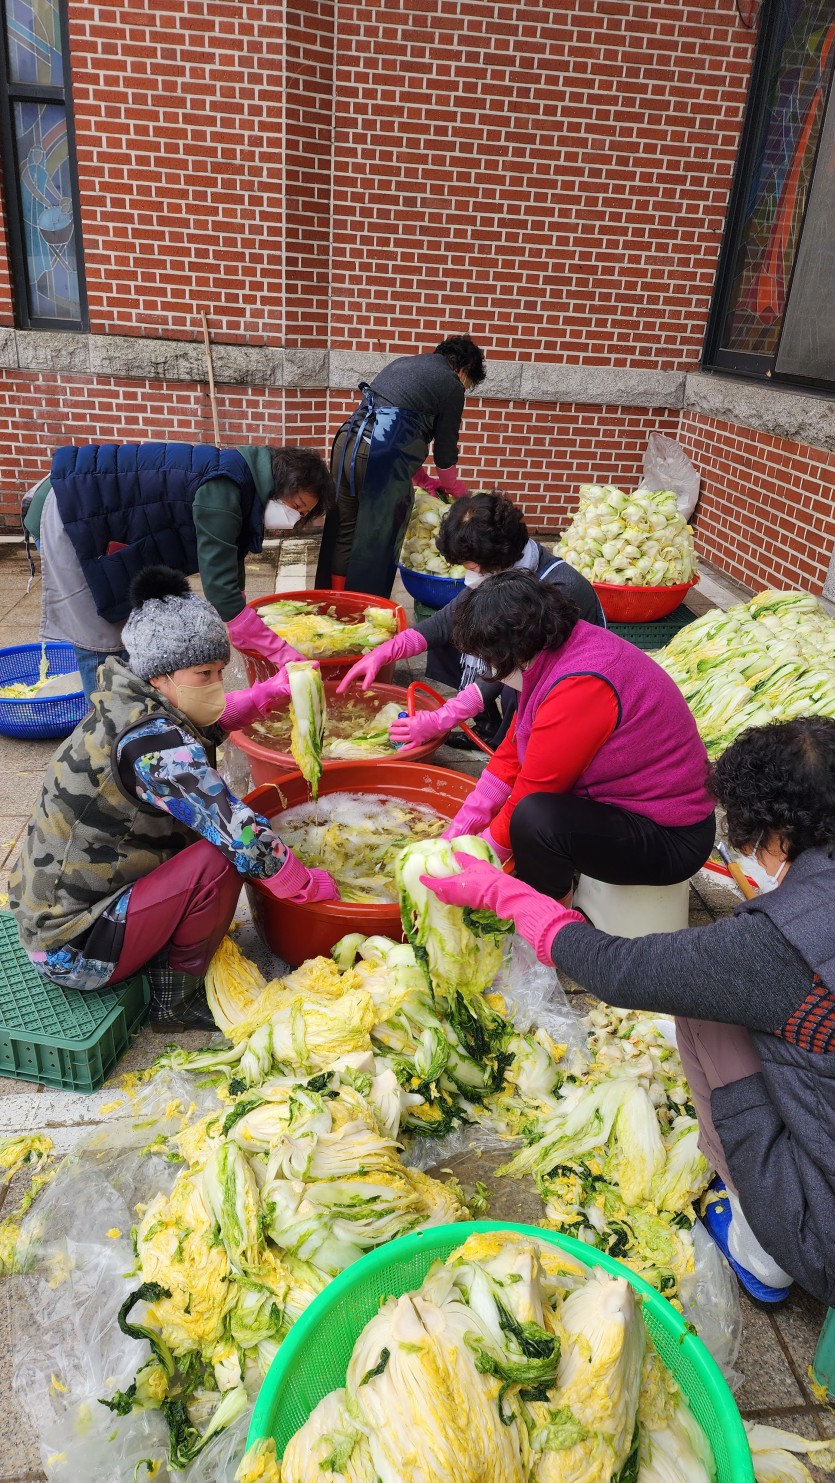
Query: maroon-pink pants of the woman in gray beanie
x=186, y=905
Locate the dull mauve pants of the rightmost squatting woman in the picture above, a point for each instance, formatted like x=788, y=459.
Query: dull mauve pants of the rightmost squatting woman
x=713, y=1057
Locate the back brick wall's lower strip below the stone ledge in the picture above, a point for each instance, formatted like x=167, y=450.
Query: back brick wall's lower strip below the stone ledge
x=538, y=453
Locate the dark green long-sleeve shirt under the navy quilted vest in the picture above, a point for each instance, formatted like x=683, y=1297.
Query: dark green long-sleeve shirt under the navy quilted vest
x=217, y=523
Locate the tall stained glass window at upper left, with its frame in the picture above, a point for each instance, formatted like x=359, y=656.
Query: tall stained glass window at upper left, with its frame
x=41, y=167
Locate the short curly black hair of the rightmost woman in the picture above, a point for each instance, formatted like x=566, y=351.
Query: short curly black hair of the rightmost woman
x=781, y=781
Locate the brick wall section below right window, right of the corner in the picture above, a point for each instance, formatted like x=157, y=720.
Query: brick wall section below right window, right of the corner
x=766, y=514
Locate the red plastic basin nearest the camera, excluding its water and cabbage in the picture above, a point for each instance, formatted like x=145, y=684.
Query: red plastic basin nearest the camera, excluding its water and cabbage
x=299, y=932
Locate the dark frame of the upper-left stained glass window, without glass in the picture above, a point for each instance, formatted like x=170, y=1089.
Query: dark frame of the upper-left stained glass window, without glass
x=38, y=93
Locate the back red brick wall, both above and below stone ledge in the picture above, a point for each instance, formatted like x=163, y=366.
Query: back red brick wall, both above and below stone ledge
x=552, y=179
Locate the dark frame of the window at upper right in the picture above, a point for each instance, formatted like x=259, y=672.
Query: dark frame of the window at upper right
x=735, y=363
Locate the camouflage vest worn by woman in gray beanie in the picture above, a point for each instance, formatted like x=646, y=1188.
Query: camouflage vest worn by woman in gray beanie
x=88, y=839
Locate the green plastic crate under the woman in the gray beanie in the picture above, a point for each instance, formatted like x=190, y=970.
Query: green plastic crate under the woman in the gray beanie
x=62, y=1037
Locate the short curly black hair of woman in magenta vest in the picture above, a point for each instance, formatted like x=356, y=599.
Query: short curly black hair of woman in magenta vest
x=511, y=619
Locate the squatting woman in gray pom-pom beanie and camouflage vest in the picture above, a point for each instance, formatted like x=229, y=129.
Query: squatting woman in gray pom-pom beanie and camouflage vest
x=137, y=851
